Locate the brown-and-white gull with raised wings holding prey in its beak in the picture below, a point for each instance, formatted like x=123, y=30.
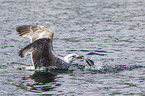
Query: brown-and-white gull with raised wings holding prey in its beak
x=43, y=56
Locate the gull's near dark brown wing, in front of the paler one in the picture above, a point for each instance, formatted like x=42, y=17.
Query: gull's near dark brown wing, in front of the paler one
x=40, y=51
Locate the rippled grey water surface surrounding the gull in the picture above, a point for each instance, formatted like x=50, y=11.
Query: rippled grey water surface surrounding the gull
x=110, y=32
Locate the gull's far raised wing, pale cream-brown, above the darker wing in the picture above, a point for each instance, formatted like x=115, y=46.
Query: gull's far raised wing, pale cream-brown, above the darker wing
x=34, y=32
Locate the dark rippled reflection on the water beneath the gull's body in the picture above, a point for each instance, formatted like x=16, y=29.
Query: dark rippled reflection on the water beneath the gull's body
x=42, y=81
